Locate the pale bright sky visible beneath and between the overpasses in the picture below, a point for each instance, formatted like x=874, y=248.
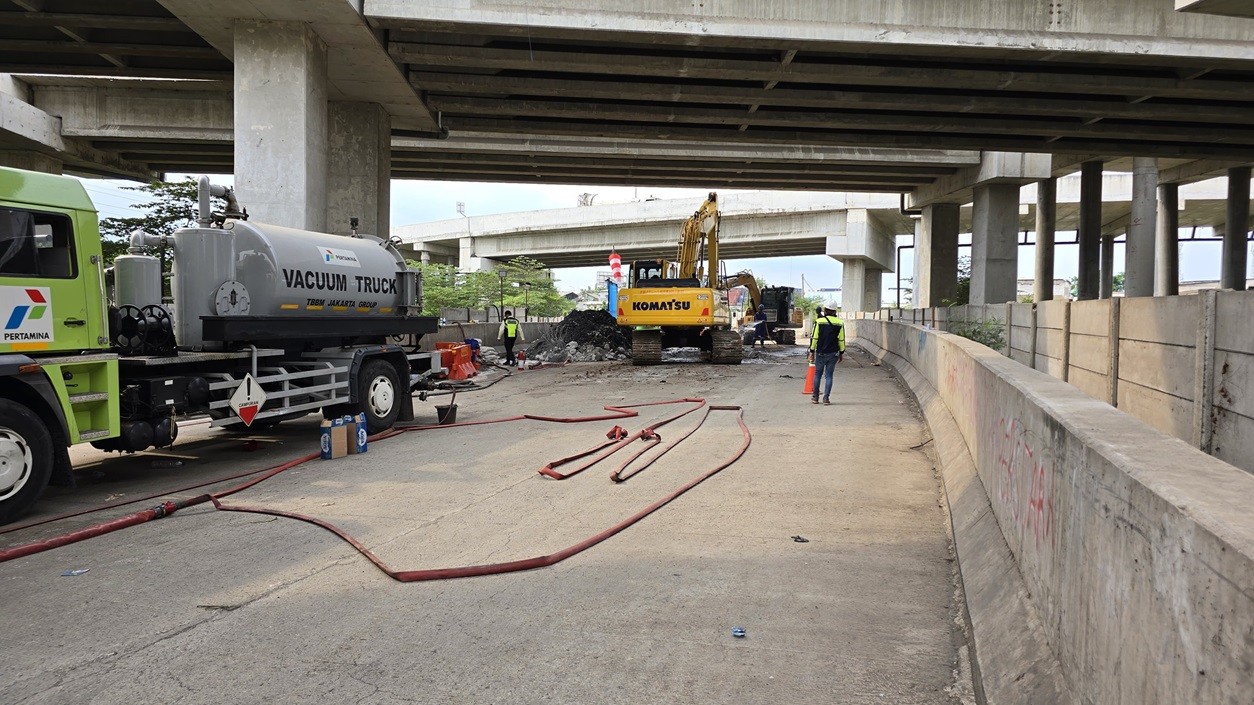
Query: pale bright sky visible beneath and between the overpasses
x=423, y=201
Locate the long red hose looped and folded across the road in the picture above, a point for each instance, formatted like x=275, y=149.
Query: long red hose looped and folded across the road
x=619, y=440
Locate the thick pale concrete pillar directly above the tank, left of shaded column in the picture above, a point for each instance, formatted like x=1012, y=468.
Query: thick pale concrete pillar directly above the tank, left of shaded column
x=280, y=124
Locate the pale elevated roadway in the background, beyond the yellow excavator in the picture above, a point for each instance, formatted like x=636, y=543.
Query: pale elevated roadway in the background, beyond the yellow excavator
x=754, y=225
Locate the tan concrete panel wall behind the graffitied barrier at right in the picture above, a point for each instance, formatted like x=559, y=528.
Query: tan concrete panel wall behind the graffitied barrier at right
x=1182, y=364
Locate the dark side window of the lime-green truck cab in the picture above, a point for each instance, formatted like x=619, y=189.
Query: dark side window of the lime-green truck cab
x=36, y=245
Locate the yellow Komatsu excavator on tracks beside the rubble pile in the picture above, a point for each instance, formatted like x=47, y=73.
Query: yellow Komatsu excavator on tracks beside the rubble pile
x=683, y=304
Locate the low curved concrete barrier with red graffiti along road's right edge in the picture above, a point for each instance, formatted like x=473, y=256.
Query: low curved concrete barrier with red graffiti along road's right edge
x=1137, y=550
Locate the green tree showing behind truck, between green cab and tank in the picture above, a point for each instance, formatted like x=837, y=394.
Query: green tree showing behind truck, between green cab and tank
x=172, y=206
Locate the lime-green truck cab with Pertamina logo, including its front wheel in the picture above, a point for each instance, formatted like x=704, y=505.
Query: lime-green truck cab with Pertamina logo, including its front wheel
x=58, y=379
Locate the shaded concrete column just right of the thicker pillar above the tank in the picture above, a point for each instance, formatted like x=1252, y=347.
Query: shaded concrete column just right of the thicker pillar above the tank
x=359, y=169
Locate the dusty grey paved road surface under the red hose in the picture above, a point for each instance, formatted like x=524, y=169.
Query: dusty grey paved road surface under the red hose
x=213, y=607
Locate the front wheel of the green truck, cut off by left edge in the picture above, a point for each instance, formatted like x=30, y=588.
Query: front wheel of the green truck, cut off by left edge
x=26, y=460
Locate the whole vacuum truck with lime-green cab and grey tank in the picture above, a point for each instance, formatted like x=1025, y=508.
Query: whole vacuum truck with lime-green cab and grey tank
x=266, y=324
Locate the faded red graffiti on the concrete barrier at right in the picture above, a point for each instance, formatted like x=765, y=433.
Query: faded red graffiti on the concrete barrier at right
x=1018, y=465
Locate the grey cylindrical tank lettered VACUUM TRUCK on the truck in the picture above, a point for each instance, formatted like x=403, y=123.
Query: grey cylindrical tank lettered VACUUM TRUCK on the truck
x=251, y=269
